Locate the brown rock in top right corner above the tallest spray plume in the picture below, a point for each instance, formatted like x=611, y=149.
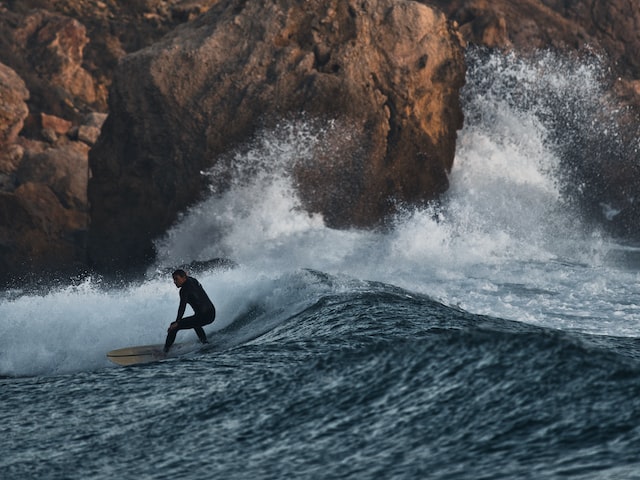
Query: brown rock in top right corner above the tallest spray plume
x=609, y=26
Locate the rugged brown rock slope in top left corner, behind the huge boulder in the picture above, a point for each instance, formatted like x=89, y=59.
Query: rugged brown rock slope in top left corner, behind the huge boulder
x=66, y=51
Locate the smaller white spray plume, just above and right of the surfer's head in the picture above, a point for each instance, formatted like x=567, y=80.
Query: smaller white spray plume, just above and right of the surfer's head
x=253, y=207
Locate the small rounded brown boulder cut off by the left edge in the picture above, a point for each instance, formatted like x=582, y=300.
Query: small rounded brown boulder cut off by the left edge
x=13, y=109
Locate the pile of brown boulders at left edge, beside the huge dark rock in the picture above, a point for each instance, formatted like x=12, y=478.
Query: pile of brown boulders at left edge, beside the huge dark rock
x=43, y=180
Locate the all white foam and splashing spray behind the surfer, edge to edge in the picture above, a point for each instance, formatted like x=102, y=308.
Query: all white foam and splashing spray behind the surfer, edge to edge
x=505, y=240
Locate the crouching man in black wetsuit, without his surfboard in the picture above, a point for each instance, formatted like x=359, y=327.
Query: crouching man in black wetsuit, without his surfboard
x=191, y=292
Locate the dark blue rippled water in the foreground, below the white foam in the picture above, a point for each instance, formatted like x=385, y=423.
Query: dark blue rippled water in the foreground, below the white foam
x=377, y=383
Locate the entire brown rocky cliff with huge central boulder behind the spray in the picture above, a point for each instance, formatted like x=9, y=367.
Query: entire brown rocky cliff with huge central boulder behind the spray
x=391, y=68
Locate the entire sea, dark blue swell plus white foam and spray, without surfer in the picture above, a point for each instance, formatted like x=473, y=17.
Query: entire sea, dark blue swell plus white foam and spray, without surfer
x=492, y=336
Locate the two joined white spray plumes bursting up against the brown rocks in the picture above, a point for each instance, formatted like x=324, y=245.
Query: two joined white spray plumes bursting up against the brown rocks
x=508, y=184
